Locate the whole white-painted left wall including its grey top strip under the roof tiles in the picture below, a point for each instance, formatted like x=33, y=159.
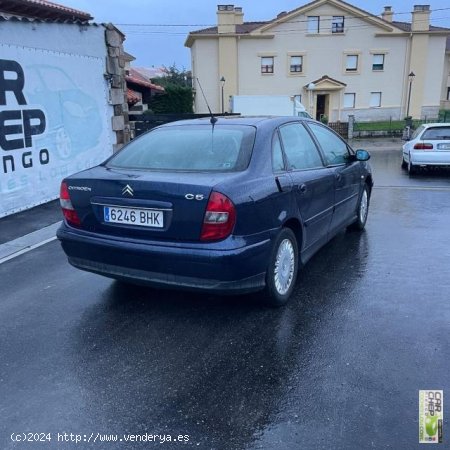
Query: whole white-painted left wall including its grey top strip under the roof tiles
x=63, y=67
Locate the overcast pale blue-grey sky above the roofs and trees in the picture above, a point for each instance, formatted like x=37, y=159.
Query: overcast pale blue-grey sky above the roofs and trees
x=154, y=45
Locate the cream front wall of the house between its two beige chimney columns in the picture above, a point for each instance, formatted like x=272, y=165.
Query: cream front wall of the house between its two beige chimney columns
x=324, y=55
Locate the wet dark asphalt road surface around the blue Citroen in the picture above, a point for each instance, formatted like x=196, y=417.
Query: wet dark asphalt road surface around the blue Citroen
x=338, y=368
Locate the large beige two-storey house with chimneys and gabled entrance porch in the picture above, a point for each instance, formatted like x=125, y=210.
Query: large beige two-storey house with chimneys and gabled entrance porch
x=334, y=57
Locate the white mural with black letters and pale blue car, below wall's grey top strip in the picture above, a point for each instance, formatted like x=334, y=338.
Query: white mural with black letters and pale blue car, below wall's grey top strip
x=54, y=121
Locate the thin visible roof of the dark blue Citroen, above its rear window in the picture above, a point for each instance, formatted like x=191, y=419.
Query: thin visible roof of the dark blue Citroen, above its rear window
x=255, y=121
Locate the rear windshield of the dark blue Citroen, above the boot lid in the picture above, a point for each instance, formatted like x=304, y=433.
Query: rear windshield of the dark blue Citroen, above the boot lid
x=193, y=148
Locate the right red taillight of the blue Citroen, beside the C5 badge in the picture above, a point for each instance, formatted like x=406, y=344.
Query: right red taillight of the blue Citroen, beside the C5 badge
x=220, y=217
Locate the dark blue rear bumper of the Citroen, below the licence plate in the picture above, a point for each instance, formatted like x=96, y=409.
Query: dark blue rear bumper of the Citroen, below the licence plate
x=236, y=270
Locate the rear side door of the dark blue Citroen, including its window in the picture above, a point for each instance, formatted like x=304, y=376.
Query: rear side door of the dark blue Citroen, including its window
x=313, y=183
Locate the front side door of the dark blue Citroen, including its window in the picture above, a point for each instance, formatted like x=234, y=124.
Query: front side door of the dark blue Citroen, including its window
x=346, y=170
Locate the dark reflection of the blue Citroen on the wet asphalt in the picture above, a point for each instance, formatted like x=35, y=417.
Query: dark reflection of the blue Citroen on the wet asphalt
x=217, y=368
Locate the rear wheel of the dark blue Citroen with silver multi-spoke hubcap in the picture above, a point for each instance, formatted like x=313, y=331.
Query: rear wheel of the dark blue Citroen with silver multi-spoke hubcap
x=282, y=270
